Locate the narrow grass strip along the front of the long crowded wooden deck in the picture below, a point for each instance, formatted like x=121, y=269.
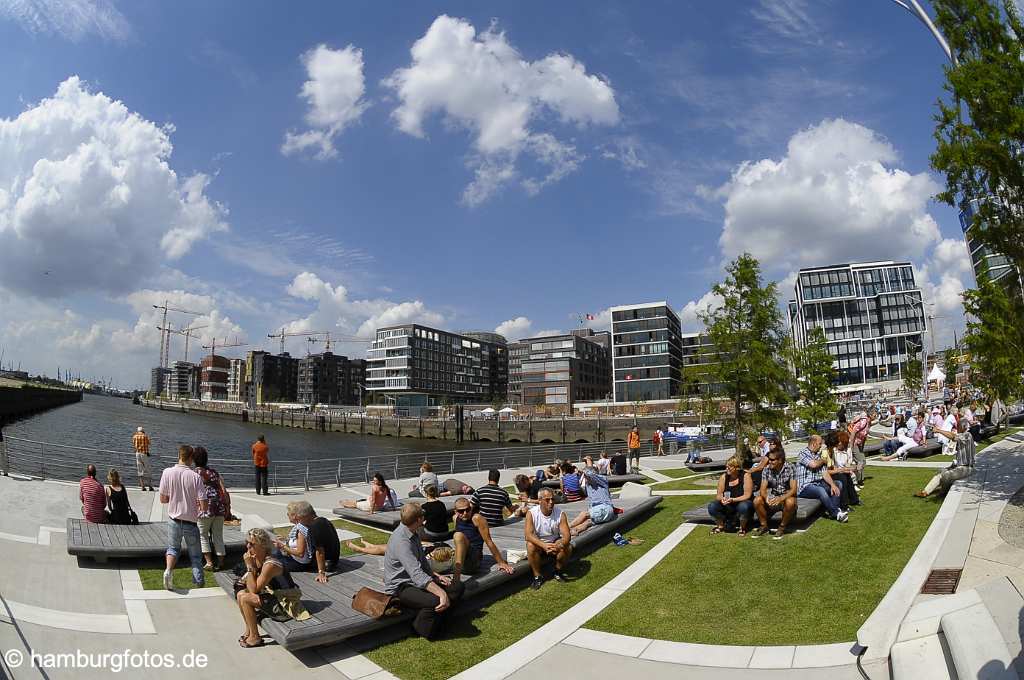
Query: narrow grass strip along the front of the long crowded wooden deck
x=478, y=635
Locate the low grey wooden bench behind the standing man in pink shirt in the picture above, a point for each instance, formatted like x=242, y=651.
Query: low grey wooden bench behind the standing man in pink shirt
x=144, y=540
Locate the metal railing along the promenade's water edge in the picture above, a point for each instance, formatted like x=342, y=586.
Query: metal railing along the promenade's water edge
x=47, y=460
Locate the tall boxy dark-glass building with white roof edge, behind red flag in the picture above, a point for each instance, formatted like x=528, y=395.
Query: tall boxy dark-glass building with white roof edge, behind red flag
x=647, y=353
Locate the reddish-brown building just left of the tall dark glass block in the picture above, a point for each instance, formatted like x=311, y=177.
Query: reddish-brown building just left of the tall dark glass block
x=561, y=370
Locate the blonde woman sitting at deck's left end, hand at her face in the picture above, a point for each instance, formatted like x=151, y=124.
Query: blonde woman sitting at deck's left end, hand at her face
x=264, y=572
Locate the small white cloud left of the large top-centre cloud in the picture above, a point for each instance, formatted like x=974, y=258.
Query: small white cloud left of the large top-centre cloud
x=334, y=94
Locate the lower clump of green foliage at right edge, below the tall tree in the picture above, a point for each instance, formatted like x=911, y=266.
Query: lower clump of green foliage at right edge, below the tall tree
x=995, y=339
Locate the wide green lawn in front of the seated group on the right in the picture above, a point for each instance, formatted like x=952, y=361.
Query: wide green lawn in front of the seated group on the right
x=765, y=580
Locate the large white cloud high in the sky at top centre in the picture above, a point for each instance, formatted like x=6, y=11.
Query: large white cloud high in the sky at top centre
x=482, y=83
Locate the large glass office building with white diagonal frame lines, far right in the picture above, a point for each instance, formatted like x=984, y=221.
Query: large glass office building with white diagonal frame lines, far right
x=872, y=313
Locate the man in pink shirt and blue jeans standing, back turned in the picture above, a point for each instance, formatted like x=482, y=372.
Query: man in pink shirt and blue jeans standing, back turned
x=180, y=491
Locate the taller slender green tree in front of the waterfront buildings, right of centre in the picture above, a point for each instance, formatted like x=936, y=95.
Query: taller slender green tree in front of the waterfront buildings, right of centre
x=746, y=332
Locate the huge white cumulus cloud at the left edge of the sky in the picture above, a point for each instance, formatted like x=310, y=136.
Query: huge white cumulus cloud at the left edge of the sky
x=89, y=200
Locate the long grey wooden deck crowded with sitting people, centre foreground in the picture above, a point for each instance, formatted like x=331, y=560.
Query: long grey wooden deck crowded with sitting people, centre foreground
x=330, y=605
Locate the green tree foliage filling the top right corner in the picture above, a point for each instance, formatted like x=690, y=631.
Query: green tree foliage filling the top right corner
x=982, y=154
